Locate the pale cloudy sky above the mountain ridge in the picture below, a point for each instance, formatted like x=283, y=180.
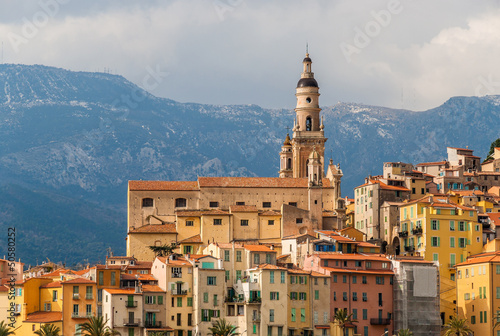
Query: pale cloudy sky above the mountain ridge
x=401, y=54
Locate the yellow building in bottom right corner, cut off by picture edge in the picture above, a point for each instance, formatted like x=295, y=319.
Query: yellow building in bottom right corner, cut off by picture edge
x=478, y=292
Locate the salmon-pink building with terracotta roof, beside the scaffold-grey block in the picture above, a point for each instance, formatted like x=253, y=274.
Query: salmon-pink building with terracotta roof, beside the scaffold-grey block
x=361, y=284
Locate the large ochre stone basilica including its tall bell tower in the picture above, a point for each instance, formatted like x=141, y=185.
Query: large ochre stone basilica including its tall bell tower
x=245, y=210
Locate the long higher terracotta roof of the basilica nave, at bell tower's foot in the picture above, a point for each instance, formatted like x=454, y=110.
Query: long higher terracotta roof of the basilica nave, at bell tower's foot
x=256, y=182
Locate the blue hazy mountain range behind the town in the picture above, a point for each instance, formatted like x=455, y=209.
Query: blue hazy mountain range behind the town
x=70, y=141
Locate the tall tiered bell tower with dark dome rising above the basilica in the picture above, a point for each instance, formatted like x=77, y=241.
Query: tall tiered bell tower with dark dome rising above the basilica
x=308, y=133
